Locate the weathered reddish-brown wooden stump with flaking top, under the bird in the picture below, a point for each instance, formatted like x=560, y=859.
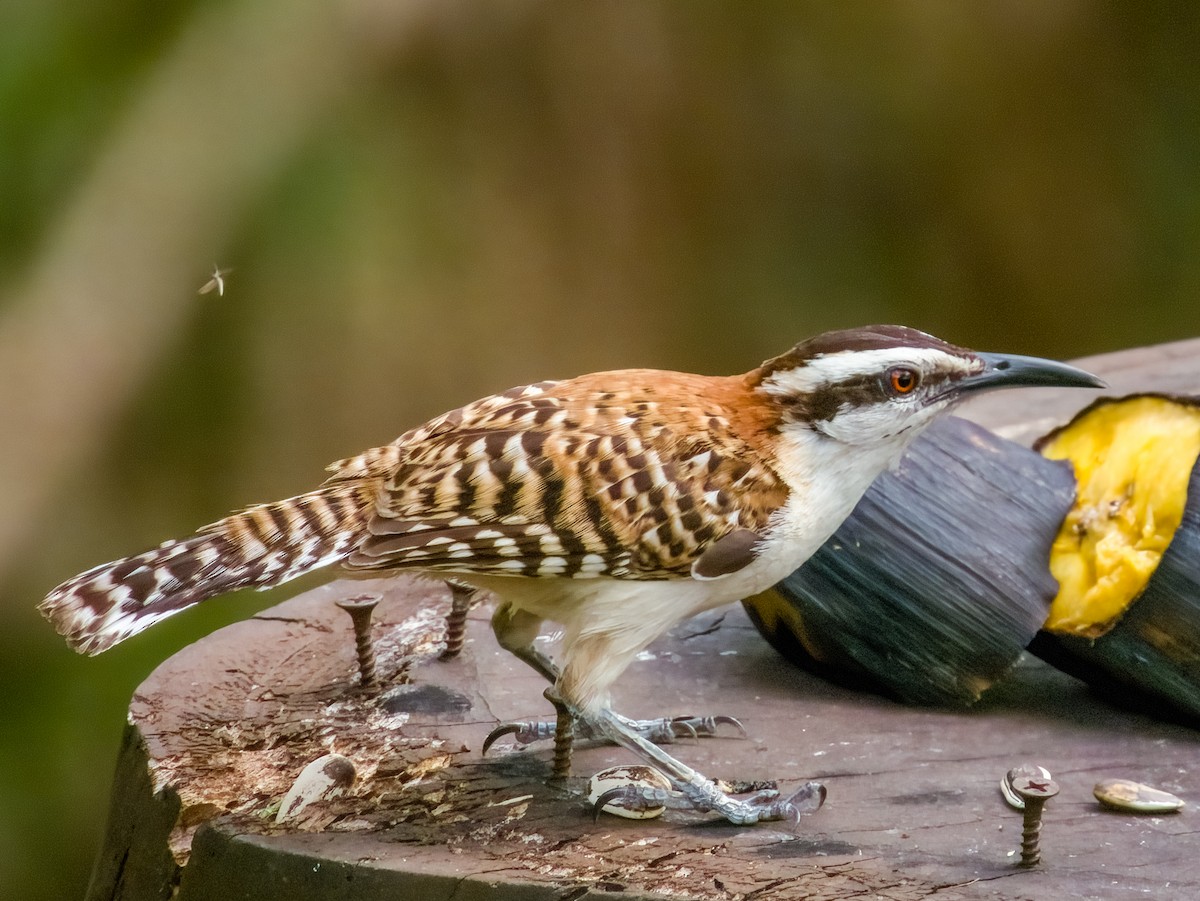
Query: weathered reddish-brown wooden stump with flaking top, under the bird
x=219, y=734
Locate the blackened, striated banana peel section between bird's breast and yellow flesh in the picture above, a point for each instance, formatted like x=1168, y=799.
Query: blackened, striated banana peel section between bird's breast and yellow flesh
x=937, y=584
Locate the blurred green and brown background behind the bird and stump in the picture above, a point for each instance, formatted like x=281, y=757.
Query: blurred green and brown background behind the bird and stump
x=428, y=202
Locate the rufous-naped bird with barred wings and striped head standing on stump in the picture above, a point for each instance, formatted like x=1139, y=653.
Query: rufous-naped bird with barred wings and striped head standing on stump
x=615, y=504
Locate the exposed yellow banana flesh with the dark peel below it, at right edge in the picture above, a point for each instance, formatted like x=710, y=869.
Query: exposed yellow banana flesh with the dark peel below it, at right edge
x=1127, y=617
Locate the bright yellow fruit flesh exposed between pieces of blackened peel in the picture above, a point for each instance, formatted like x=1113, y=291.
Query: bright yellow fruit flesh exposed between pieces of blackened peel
x=1133, y=461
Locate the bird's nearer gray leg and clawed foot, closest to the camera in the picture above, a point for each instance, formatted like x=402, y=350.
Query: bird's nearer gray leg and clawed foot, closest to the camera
x=701, y=794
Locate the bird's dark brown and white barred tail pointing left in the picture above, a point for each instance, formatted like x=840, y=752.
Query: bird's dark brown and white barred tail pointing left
x=259, y=548
